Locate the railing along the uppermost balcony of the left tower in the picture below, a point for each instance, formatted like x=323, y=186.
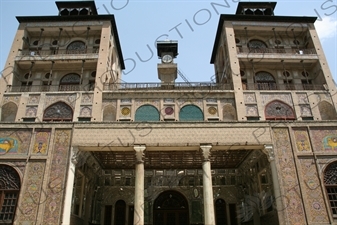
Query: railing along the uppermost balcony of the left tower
x=37, y=52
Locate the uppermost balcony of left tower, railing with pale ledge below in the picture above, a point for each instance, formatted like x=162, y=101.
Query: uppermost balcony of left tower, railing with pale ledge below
x=54, y=54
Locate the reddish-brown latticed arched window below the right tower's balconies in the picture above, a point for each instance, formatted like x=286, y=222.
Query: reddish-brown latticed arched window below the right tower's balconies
x=277, y=110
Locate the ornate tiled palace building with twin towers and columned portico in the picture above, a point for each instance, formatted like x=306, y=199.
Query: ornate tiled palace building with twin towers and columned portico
x=78, y=146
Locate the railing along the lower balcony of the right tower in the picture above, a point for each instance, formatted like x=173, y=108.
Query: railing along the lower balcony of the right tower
x=274, y=86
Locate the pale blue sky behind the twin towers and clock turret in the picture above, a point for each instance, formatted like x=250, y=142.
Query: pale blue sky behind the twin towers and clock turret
x=141, y=22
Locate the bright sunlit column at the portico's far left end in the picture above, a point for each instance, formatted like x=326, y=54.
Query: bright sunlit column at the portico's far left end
x=73, y=159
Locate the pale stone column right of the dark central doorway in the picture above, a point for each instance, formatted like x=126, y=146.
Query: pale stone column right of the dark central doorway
x=207, y=186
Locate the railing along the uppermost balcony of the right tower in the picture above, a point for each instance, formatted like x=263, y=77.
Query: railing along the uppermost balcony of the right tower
x=276, y=51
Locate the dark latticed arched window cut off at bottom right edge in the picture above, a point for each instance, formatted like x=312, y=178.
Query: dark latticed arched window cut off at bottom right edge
x=330, y=182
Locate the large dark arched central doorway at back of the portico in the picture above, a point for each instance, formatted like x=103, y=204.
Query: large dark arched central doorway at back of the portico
x=170, y=208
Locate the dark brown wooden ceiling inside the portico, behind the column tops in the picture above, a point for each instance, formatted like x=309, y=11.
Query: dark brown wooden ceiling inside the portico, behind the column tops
x=170, y=159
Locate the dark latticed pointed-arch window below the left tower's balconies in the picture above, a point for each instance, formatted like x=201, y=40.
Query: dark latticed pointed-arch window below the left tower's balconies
x=59, y=111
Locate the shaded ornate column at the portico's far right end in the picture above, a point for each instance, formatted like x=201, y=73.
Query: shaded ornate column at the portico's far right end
x=269, y=151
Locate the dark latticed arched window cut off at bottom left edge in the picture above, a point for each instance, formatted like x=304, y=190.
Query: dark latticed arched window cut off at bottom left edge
x=9, y=192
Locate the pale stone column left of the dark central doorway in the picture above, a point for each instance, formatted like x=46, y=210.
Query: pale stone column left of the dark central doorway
x=139, y=186
